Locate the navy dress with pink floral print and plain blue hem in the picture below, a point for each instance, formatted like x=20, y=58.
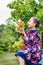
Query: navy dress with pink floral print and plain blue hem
x=32, y=54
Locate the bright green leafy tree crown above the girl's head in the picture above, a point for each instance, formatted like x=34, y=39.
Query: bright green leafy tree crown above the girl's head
x=25, y=9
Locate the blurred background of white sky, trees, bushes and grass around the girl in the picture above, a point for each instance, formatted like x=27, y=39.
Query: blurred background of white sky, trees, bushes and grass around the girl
x=10, y=12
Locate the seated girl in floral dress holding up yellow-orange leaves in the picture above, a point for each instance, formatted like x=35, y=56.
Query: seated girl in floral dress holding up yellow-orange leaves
x=32, y=53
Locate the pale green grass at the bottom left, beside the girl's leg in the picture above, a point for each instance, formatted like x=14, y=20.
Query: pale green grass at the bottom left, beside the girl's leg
x=7, y=58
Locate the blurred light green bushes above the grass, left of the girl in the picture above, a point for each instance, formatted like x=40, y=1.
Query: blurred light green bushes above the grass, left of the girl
x=8, y=37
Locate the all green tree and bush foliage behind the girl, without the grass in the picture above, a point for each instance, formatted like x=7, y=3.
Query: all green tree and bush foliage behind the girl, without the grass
x=23, y=9
